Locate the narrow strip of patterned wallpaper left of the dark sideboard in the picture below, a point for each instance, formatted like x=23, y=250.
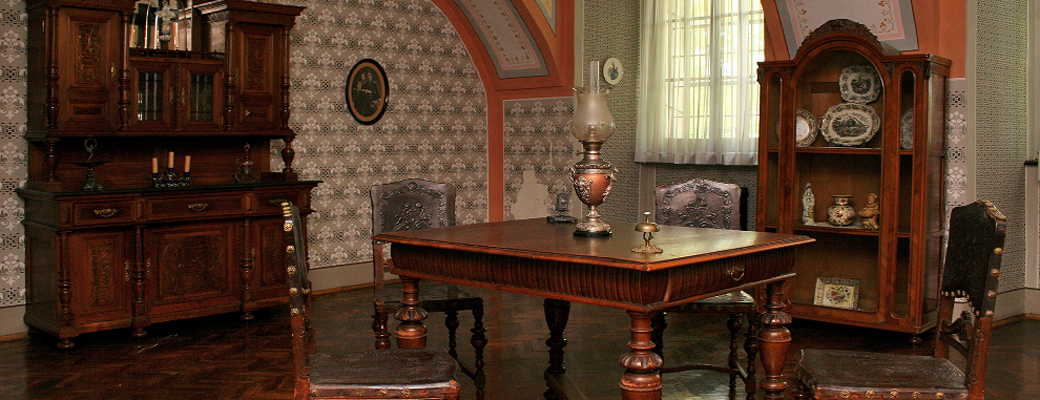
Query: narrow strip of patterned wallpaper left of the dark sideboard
x=13, y=151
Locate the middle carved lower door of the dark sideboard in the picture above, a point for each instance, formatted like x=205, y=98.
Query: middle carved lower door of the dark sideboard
x=193, y=268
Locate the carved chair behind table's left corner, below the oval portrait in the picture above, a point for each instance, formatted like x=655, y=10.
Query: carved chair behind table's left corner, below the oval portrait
x=417, y=204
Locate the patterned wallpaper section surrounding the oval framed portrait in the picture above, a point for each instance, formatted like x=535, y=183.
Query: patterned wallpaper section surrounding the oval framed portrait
x=435, y=127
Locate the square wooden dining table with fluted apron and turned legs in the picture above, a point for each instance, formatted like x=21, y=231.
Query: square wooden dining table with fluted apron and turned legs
x=539, y=258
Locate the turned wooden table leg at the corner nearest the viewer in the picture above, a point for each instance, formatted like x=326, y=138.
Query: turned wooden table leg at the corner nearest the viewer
x=642, y=378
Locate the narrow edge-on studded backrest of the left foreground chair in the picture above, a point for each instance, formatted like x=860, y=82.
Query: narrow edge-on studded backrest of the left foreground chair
x=300, y=297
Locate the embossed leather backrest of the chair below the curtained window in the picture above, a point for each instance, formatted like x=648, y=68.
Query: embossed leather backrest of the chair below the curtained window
x=701, y=203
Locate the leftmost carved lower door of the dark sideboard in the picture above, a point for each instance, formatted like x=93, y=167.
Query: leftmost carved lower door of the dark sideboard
x=100, y=271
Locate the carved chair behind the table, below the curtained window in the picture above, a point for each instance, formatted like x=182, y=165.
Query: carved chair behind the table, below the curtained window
x=703, y=203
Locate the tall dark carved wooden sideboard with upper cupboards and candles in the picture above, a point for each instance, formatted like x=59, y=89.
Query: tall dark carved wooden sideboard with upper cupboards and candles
x=120, y=231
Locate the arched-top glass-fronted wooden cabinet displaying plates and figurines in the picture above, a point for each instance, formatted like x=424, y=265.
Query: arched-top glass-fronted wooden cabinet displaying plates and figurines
x=846, y=121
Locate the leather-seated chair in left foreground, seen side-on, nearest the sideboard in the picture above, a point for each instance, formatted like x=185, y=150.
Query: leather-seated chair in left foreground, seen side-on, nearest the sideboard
x=382, y=375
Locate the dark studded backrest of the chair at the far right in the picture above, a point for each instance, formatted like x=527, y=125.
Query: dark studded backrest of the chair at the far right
x=972, y=270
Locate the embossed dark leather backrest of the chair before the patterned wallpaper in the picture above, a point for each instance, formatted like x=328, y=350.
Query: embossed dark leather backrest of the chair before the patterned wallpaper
x=412, y=204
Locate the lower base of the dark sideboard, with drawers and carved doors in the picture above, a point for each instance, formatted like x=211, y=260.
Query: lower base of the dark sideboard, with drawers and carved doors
x=133, y=258
